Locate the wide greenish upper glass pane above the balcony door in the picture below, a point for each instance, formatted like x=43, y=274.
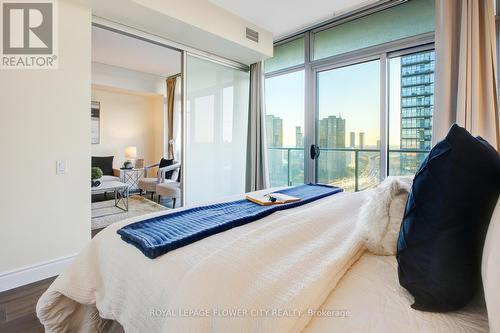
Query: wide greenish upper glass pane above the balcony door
x=408, y=19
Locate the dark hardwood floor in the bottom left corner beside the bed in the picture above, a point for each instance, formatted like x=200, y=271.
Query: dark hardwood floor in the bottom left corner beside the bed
x=17, y=308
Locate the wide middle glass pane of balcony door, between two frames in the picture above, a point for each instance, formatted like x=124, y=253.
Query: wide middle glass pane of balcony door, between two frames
x=348, y=126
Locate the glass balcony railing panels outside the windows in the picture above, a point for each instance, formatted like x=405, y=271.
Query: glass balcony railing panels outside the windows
x=352, y=169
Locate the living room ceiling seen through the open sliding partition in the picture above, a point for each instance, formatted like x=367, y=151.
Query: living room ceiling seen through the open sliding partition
x=114, y=49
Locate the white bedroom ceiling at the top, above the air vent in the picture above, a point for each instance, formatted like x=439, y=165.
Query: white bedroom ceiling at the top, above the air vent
x=282, y=17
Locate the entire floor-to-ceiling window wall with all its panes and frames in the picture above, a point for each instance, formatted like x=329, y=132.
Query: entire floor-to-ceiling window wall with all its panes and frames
x=362, y=92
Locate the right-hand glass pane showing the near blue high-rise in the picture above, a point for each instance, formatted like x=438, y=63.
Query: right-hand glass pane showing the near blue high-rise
x=411, y=104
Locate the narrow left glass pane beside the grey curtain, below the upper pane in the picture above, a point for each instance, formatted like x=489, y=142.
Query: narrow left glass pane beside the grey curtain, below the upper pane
x=285, y=128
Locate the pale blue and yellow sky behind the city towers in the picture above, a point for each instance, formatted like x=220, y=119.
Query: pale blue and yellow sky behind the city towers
x=352, y=92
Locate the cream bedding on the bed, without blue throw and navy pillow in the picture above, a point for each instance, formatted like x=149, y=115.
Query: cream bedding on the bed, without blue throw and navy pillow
x=316, y=268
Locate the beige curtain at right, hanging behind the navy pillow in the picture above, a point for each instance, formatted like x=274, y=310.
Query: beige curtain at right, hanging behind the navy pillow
x=466, y=86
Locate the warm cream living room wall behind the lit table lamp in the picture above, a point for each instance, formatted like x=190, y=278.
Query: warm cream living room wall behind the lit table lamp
x=129, y=119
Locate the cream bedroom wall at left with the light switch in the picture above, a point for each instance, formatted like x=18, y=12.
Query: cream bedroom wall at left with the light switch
x=45, y=117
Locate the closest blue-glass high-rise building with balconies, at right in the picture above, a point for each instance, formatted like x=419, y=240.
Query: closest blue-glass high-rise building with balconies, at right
x=417, y=103
